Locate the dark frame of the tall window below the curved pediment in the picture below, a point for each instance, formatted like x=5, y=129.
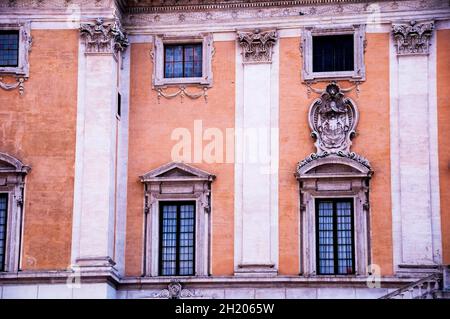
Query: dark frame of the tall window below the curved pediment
x=335, y=200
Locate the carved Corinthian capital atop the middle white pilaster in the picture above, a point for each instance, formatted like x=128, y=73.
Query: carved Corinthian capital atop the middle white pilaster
x=257, y=46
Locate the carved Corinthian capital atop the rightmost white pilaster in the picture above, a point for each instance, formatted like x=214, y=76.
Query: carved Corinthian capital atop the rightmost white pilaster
x=413, y=38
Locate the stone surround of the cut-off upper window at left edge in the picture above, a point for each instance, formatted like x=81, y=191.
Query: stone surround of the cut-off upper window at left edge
x=22, y=70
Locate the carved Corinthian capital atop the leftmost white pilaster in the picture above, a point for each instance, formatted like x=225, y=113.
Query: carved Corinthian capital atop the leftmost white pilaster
x=104, y=38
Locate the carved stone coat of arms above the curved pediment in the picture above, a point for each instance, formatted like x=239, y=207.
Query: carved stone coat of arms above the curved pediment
x=333, y=119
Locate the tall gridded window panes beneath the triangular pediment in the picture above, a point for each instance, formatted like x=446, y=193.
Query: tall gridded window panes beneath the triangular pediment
x=177, y=239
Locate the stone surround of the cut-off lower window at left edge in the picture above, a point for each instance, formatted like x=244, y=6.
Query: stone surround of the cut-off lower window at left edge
x=12, y=182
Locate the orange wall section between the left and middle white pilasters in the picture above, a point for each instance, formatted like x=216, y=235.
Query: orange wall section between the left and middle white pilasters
x=150, y=146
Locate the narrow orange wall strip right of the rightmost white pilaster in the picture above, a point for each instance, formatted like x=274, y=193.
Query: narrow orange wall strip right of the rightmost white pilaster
x=443, y=80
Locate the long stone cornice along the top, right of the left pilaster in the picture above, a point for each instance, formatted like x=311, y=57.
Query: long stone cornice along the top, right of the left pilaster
x=386, y=11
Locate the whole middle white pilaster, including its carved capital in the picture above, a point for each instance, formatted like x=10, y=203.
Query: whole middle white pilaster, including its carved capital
x=257, y=211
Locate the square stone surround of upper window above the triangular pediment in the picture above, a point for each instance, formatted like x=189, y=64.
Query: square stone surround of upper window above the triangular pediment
x=158, y=58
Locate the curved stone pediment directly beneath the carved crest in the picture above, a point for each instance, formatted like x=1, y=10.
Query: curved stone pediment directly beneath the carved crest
x=334, y=166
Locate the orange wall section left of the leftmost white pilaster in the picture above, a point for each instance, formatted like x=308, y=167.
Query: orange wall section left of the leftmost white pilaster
x=39, y=128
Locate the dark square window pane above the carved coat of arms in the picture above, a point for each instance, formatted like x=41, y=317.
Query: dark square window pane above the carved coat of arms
x=333, y=53
